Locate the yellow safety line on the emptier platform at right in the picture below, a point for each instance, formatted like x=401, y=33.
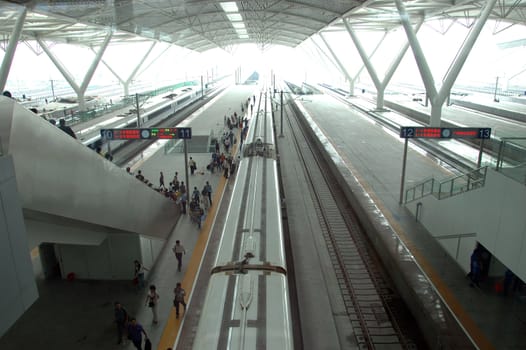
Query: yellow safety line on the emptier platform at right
x=451, y=300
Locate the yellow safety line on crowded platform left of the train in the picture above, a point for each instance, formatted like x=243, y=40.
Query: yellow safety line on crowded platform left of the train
x=171, y=329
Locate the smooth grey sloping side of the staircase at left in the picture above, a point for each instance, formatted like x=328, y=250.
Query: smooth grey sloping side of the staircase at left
x=59, y=176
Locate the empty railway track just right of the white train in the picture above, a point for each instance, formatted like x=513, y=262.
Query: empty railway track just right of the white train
x=376, y=312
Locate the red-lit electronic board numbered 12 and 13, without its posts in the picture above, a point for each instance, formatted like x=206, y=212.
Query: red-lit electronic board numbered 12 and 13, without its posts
x=414, y=132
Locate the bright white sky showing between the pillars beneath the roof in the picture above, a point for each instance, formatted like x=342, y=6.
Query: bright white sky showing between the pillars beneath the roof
x=484, y=64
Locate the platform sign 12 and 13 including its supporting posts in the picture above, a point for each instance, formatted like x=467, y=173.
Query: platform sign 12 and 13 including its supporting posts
x=415, y=132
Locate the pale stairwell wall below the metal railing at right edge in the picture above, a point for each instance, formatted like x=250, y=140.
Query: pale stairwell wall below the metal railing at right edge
x=495, y=213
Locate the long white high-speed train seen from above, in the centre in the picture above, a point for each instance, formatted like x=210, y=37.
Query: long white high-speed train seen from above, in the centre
x=247, y=301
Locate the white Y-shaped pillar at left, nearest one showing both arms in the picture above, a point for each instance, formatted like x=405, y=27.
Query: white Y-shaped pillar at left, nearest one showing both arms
x=79, y=90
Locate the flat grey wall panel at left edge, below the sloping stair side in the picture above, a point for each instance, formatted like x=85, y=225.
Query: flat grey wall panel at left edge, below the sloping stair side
x=18, y=289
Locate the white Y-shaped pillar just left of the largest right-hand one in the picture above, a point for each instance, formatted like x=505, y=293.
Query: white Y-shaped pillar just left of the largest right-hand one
x=380, y=85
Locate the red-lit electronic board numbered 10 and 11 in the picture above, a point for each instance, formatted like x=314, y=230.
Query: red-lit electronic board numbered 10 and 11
x=146, y=134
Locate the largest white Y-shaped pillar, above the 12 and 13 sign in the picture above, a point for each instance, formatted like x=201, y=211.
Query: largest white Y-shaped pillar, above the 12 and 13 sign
x=437, y=98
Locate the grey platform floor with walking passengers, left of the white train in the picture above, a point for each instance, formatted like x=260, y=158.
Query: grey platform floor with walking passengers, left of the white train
x=80, y=314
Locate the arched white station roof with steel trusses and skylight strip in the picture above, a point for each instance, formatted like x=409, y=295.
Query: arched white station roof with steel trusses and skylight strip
x=201, y=25
